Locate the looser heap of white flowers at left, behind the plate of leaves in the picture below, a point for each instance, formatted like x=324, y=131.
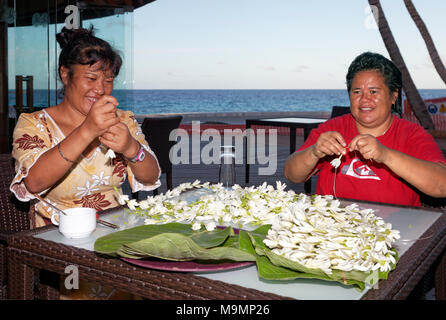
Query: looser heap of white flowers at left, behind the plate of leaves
x=241, y=207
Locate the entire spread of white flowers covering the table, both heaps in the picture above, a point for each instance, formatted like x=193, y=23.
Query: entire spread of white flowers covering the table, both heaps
x=314, y=231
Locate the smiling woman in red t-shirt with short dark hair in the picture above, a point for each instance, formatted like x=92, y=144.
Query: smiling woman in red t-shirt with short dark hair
x=384, y=158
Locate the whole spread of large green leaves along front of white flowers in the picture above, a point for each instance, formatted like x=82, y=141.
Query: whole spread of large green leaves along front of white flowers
x=178, y=242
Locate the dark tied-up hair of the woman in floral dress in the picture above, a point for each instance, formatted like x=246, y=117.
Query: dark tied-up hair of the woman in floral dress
x=80, y=46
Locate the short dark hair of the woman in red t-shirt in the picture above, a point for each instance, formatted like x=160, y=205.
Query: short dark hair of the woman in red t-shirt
x=374, y=61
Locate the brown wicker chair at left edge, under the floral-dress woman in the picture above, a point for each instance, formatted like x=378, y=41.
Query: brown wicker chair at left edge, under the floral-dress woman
x=13, y=216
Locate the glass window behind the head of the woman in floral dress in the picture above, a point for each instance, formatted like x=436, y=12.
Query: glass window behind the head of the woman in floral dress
x=33, y=49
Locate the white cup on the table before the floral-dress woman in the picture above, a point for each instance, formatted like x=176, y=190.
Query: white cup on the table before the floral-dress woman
x=76, y=223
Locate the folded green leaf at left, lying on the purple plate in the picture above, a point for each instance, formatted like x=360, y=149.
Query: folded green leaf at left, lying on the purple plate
x=173, y=241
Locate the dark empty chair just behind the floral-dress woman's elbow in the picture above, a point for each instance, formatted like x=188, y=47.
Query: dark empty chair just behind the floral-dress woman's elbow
x=157, y=131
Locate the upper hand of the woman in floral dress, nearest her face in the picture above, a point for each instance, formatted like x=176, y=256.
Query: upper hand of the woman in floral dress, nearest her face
x=101, y=117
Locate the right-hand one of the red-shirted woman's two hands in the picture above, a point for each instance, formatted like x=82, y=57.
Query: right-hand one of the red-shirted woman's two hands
x=369, y=147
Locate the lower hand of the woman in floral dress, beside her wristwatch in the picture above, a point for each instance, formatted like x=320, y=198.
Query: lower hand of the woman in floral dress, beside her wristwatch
x=119, y=139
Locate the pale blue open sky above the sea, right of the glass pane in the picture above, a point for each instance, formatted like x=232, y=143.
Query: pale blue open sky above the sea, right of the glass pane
x=281, y=44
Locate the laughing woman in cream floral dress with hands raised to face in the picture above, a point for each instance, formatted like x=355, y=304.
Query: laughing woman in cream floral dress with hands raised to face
x=60, y=151
